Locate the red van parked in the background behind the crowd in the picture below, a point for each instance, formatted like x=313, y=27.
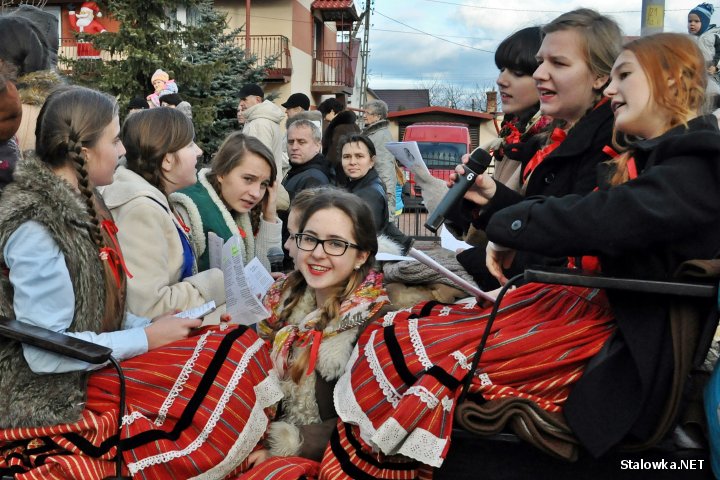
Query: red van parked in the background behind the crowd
x=441, y=145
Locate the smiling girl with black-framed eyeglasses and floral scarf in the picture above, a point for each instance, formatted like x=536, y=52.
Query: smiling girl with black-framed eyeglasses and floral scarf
x=317, y=313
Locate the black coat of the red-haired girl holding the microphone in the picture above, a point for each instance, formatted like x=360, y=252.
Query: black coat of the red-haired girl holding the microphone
x=641, y=229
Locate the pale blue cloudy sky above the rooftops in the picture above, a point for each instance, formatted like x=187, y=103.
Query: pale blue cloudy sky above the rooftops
x=413, y=42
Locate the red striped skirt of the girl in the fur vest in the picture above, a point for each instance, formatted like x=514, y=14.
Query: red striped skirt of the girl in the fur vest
x=198, y=406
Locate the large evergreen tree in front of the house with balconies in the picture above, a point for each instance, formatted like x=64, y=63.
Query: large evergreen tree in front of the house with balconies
x=200, y=55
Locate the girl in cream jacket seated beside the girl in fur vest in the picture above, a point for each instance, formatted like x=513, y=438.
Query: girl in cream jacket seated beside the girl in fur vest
x=161, y=158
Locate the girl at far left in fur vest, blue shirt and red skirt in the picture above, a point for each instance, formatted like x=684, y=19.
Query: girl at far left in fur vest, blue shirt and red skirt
x=62, y=269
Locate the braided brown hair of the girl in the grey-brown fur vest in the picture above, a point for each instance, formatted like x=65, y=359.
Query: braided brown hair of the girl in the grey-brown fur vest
x=71, y=119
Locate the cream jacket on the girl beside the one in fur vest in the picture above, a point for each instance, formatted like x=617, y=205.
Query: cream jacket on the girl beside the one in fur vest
x=150, y=242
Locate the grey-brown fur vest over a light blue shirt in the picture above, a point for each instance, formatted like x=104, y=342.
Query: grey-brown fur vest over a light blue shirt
x=29, y=399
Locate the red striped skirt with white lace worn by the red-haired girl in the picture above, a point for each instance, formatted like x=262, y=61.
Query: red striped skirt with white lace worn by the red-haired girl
x=402, y=388
